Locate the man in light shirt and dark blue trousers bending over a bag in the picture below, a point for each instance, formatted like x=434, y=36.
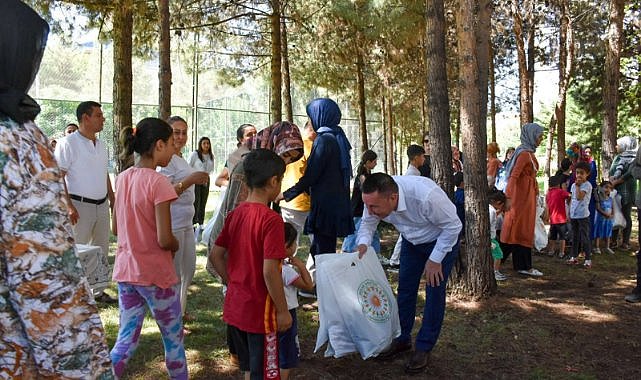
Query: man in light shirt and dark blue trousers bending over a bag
x=426, y=218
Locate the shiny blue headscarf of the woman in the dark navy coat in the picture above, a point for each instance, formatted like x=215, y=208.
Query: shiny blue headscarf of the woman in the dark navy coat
x=325, y=117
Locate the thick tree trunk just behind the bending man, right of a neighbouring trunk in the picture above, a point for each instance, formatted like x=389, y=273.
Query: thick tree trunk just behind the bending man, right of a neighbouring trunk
x=478, y=276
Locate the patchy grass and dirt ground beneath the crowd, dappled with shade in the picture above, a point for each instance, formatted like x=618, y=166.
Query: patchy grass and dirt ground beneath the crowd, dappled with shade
x=569, y=324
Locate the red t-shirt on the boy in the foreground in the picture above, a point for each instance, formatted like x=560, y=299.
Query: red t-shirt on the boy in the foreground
x=252, y=233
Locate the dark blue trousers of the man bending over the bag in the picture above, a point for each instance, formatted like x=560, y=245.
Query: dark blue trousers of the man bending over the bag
x=413, y=259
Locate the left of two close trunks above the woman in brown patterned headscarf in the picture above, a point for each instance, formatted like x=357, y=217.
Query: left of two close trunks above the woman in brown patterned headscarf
x=276, y=61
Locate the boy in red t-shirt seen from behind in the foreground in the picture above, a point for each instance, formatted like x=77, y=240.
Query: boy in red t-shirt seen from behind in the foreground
x=247, y=255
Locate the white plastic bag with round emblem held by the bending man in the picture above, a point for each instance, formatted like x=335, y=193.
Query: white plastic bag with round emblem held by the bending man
x=357, y=308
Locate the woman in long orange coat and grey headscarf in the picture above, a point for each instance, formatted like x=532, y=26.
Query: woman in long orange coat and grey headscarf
x=522, y=191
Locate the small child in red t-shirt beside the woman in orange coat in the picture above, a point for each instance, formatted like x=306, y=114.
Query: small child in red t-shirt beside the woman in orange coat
x=556, y=200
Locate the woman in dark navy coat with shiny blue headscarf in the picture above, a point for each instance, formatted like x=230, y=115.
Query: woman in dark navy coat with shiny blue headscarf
x=327, y=179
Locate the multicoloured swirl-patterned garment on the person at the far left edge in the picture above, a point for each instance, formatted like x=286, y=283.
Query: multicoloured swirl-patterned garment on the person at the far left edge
x=49, y=324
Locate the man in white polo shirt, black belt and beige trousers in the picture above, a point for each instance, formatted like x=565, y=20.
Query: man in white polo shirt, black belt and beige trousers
x=83, y=161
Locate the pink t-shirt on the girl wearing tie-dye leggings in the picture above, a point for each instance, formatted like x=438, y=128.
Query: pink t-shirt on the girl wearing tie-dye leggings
x=139, y=258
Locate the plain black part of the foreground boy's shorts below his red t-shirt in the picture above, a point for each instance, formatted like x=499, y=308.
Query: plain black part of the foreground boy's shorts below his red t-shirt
x=250, y=348
